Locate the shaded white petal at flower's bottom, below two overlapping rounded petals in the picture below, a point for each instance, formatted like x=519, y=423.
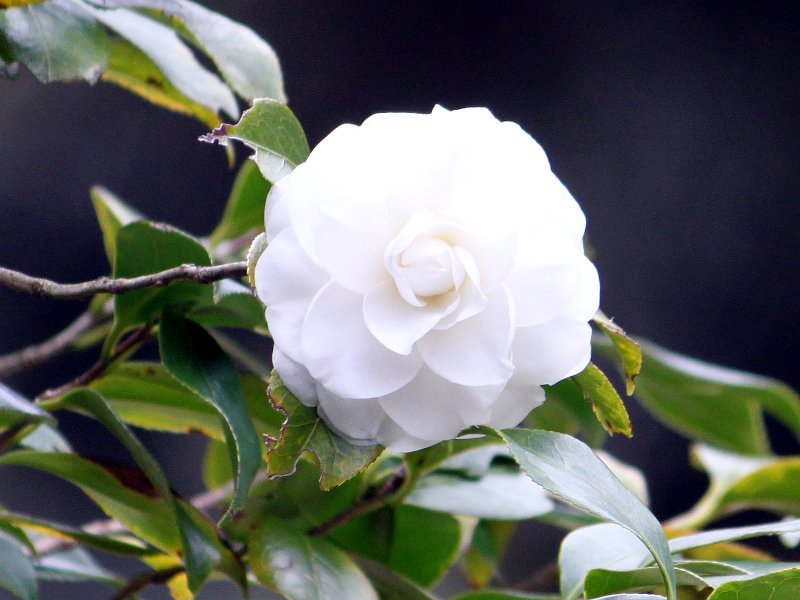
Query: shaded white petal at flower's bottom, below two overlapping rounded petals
x=430, y=407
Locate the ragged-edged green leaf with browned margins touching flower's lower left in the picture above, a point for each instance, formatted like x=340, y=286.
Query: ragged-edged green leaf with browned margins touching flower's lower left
x=304, y=431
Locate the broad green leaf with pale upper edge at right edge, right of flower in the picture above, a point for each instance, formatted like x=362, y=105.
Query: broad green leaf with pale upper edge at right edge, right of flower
x=714, y=404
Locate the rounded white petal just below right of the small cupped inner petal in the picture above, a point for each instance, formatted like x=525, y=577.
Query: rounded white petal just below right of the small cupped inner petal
x=474, y=351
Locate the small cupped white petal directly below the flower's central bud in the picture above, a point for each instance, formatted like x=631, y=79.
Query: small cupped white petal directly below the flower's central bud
x=394, y=322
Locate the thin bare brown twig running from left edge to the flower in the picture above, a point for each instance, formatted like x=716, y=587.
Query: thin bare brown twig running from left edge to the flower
x=45, y=288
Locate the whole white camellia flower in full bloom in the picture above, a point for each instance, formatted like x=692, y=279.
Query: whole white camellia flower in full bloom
x=425, y=273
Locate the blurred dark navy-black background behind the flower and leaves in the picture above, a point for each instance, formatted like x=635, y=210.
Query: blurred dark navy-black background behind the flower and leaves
x=675, y=125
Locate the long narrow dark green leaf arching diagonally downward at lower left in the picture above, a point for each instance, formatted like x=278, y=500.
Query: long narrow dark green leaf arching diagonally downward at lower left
x=200, y=546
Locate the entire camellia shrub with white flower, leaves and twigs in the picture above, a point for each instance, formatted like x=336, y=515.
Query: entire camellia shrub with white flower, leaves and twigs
x=435, y=323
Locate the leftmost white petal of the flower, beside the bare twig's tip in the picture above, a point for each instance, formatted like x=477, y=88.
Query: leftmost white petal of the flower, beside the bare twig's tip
x=287, y=281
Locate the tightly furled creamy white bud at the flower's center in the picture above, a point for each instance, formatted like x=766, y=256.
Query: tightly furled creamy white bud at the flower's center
x=431, y=267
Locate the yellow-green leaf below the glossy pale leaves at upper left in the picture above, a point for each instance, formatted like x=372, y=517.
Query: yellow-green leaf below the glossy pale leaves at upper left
x=133, y=70
